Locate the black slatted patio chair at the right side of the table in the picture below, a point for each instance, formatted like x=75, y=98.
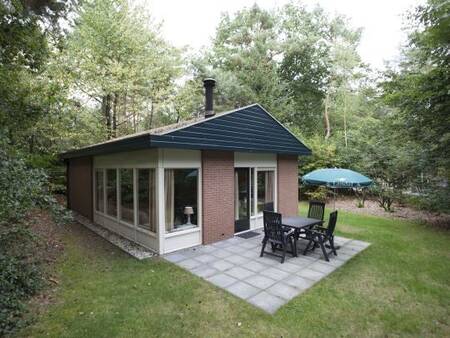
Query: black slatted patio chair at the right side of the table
x=320, y=237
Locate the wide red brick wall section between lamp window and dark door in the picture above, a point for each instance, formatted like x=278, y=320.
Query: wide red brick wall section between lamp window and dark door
x=218, y=195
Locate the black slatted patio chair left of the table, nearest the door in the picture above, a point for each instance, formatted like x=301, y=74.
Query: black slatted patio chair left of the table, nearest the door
x=275, y=234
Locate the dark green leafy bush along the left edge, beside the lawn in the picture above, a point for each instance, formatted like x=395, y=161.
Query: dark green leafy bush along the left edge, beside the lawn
x=22, y=189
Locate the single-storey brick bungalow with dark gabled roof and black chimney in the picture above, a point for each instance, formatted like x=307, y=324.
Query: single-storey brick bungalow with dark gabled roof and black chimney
x=190, y=183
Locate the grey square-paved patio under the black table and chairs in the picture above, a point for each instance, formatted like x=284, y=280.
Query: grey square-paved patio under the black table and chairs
x=234, y=265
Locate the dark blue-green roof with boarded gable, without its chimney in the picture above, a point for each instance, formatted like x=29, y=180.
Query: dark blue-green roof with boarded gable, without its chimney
x=247, y=129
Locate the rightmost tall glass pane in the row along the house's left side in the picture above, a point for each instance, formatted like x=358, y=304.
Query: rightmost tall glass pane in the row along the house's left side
x=146, y=199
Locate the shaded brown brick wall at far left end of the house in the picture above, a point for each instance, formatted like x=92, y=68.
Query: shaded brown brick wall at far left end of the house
x=79, y=186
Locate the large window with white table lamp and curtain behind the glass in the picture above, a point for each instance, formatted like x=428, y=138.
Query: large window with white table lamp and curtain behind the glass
x=180, y=186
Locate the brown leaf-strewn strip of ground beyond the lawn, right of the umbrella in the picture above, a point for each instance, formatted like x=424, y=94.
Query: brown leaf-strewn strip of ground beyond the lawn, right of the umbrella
x=403, y=212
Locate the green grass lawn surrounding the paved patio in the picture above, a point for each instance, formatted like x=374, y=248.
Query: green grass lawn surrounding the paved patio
x=399, y=286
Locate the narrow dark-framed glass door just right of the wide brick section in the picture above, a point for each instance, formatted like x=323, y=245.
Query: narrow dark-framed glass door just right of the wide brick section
x=242, y=202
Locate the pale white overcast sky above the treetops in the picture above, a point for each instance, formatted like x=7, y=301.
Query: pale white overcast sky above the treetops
x=193, y=23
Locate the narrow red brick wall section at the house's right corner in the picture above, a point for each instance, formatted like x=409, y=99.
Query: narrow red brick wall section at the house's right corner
x=288, y=184
